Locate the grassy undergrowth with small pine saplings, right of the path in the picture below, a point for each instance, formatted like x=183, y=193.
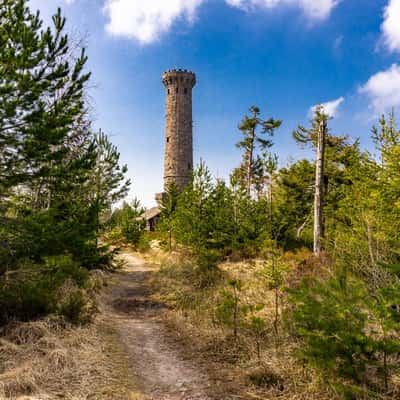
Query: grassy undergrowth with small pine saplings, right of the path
x=235, y=320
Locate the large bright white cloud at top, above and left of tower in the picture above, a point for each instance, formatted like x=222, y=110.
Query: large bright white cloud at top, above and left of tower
x=146, y=20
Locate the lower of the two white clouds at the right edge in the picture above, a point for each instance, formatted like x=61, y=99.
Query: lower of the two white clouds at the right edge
x=383, y=89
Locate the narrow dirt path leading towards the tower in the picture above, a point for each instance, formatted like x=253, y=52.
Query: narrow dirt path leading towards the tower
x=162, y=370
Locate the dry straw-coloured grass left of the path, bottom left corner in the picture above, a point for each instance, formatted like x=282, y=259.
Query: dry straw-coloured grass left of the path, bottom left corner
x=48, y=360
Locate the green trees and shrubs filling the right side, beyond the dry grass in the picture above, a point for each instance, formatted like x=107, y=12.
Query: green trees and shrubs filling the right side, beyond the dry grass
x=342, y=303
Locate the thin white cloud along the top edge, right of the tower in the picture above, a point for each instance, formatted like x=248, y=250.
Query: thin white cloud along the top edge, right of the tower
x=314, y=9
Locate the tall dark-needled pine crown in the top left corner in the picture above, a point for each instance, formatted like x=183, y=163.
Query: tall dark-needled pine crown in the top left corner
x=41, y=94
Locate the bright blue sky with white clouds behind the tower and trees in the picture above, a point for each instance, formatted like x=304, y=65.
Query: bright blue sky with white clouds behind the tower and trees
x=283, y=55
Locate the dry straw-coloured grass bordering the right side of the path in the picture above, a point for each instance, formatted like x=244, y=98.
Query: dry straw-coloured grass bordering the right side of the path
x=277, y=375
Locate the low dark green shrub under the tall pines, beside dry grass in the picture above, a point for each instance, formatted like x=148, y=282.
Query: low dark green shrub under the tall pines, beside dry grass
x=35, y=290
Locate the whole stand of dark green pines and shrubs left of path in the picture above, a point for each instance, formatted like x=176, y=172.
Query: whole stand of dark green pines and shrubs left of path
x=57, y=177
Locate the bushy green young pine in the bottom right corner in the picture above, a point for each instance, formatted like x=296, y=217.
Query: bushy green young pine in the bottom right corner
x=346, y=333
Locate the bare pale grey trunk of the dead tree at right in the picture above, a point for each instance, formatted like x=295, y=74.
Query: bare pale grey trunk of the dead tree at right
x=319, y=176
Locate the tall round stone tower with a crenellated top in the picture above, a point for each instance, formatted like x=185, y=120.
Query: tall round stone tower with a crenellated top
x=178, y=162
